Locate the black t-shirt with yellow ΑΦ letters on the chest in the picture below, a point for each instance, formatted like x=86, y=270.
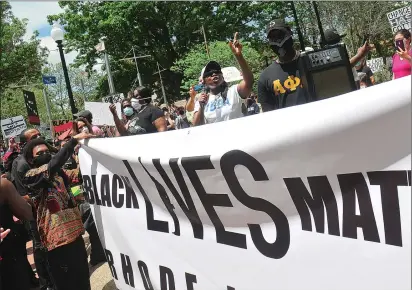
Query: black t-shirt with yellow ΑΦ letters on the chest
x=280, y=86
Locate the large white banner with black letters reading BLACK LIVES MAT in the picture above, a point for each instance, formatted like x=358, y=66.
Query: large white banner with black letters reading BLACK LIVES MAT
x=319, y=198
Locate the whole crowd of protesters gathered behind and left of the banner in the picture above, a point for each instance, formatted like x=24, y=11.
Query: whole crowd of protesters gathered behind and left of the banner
x=41, y=187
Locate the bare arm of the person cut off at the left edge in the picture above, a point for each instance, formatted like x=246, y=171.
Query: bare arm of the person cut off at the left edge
x=9, y=195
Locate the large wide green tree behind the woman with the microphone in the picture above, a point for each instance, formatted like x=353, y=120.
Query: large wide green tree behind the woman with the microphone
x=164, y=30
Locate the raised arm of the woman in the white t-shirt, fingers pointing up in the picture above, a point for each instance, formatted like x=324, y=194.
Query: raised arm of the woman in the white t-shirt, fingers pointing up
x=244, y=88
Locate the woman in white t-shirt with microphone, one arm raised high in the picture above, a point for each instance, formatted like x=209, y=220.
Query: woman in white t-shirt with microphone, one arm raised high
x=219, y=102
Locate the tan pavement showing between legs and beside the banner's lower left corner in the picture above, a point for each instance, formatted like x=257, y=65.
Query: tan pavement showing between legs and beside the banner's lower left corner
x=100, y=276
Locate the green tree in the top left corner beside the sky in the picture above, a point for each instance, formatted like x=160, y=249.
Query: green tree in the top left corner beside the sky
x=20, y=61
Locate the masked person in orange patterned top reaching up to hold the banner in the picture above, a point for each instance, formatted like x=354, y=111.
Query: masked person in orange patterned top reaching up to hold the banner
x=58, y=218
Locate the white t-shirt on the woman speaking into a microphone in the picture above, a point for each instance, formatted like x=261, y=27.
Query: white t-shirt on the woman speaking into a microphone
x=217, y=109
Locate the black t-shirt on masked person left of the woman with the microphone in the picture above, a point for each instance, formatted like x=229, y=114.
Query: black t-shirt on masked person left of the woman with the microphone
x=142, y=122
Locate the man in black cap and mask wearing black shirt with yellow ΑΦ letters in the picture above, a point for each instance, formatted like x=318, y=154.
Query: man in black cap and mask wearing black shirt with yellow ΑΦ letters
x=280, y=84
